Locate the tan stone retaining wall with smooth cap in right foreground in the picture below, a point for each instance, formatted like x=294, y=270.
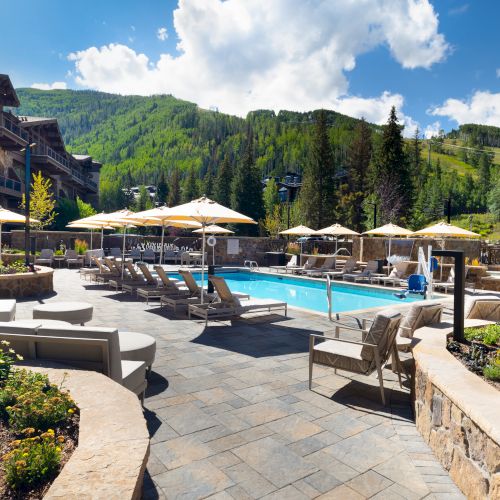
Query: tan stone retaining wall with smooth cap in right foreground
x=458, y=415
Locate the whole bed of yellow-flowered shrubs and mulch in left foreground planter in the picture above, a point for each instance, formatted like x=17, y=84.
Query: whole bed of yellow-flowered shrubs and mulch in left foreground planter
x=38, y=429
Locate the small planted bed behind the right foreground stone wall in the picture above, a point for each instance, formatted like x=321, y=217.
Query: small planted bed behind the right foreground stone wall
x=481, y=353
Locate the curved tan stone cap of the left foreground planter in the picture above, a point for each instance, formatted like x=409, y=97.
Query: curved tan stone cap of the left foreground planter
x=113, y=442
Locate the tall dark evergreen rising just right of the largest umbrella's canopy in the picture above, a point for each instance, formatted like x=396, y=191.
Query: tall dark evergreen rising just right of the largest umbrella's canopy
x=246, y=189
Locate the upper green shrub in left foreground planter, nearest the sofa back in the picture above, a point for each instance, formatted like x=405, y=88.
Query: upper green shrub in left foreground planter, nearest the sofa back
x=29, y=400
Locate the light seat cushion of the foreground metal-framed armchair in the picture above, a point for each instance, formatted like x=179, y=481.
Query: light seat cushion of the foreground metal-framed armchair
x=341, y=355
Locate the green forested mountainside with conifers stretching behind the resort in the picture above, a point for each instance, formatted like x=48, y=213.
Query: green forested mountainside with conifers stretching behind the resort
x=348, y=164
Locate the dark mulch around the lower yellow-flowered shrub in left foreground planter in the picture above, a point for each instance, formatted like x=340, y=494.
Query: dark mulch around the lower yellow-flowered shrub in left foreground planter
x=70, y=432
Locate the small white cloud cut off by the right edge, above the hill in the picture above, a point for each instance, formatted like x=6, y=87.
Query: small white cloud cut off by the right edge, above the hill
x=483, y=107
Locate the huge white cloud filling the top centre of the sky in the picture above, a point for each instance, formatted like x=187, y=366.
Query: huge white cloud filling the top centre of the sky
x=241, y=55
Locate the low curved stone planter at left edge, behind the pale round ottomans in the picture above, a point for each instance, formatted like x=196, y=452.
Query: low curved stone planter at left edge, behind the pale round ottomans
x=15, y=286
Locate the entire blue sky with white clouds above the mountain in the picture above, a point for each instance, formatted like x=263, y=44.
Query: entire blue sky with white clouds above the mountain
x=437, y=61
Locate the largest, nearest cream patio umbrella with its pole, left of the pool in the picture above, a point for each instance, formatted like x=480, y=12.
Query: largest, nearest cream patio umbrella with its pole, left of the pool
x=207, y=212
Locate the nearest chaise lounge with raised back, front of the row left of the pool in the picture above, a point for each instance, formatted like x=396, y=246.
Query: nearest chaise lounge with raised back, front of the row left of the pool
x=228, y=305
